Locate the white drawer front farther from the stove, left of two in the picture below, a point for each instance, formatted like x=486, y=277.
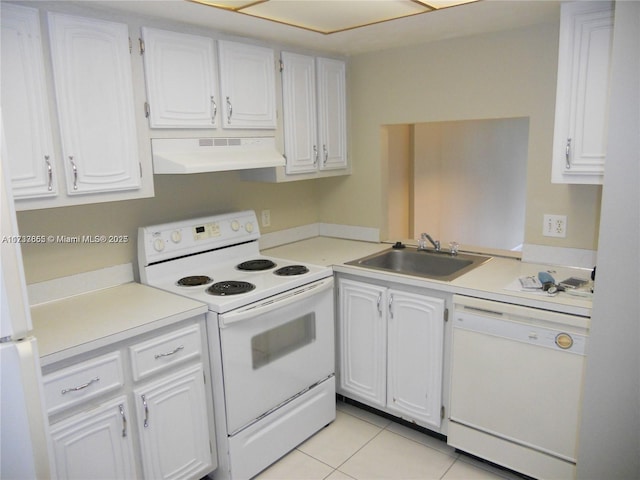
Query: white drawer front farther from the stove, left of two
x=82, y=382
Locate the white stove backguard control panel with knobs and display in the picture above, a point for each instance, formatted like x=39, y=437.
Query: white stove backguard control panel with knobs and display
x=171, y=240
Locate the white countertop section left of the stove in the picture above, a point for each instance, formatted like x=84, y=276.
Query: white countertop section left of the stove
x=80, y=323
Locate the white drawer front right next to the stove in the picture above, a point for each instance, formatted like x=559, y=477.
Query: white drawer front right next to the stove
x=165, y=351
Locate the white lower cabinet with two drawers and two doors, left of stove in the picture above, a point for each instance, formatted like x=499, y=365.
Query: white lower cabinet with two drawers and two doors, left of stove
x=159, y=428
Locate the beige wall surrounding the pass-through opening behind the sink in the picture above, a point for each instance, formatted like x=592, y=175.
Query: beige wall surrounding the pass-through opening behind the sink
x=496, y=75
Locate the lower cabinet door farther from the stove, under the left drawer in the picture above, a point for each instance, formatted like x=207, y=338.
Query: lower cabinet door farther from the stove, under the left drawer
x=95, y=443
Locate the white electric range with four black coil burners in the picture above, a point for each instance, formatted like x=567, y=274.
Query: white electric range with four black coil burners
x=271, y=333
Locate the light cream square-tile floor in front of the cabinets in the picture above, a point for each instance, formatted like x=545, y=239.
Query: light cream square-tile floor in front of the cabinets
x=363, y=446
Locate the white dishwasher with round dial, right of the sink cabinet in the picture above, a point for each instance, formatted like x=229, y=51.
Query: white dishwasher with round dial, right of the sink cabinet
x=516, y=385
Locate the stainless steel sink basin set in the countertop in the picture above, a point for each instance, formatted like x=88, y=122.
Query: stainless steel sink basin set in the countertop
x=422, y=263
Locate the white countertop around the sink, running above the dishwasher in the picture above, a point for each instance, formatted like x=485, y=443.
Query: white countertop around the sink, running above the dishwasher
x=490, y=280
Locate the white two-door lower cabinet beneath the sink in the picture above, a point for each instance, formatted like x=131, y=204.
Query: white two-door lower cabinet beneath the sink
x=391, y=349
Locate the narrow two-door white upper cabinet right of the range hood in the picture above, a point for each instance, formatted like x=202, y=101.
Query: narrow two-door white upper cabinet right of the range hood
x=314, y=104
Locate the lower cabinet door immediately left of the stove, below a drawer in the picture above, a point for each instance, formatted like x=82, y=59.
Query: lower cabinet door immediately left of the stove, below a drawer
x=173, y=426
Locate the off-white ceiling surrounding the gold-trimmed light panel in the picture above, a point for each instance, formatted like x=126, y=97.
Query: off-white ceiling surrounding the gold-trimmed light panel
x=473, y=18
